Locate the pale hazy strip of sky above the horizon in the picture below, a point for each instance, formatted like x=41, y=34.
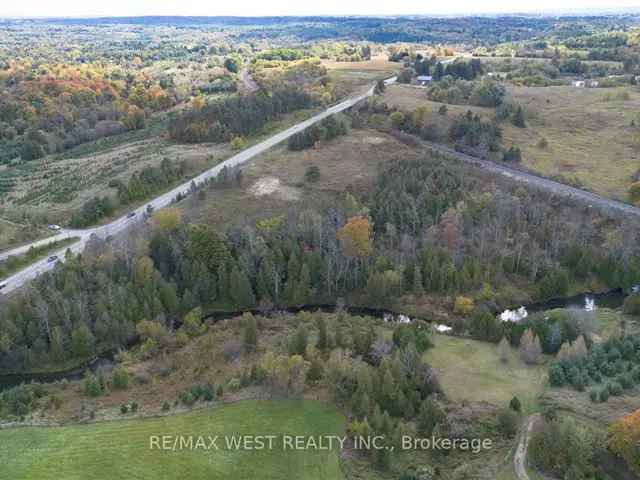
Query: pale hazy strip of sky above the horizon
x=38, y=8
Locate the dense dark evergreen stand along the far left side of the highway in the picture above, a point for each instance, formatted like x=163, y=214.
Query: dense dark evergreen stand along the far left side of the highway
x=224, y=119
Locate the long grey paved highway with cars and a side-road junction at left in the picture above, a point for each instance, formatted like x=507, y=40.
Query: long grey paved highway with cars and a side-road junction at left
x=29, y=273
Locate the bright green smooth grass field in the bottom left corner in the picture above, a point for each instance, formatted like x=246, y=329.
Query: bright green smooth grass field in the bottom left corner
x=121, y=449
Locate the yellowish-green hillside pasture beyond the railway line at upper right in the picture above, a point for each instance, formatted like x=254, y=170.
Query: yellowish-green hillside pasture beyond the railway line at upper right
x=589, y=135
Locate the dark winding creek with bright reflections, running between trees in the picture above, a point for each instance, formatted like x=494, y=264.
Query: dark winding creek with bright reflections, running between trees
x=586, y=301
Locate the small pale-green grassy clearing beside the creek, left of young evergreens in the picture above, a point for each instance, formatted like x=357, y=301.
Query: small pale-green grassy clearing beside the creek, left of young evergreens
x=472, y=370
